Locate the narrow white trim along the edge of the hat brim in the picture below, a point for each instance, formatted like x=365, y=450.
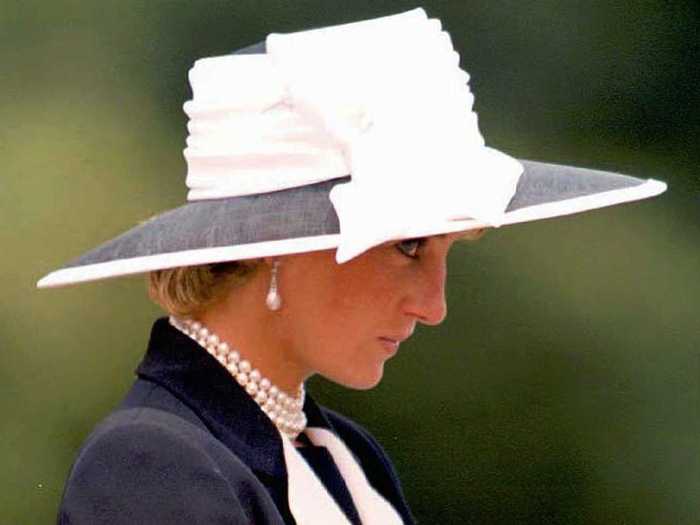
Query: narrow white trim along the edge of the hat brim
x=136, y=265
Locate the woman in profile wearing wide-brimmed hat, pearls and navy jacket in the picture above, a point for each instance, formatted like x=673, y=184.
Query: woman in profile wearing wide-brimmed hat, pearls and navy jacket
x=329, y=172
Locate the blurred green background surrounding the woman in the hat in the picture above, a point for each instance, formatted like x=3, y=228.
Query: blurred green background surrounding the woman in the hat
x=564, y=386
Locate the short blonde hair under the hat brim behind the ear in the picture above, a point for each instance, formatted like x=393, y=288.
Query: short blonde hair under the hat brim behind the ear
x=188, y=290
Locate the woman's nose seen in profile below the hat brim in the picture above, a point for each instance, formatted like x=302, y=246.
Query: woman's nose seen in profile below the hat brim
x=427, y=302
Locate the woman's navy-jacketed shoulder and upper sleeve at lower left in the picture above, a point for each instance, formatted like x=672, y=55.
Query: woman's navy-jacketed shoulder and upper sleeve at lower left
x=143, y=465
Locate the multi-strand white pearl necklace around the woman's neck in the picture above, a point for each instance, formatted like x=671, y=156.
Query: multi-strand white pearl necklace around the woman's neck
x=285, y=412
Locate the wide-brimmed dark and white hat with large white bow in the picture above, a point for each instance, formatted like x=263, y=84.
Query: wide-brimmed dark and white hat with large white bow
x=341, y=138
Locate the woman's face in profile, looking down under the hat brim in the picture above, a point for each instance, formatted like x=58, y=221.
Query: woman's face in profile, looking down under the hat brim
x=344, y=321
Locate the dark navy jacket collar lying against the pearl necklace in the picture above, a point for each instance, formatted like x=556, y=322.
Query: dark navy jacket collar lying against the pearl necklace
x=180, y=365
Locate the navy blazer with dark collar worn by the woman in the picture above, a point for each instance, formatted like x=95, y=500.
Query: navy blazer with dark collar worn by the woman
x=188, y=445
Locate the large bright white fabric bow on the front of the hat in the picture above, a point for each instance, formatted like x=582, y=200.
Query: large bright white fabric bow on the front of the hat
x=391, y=93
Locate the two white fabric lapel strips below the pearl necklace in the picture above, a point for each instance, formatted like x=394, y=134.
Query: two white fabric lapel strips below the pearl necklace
x=309, y=501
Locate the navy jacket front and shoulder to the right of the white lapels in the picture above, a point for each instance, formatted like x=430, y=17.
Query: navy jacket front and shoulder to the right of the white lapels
x=374, y=461
